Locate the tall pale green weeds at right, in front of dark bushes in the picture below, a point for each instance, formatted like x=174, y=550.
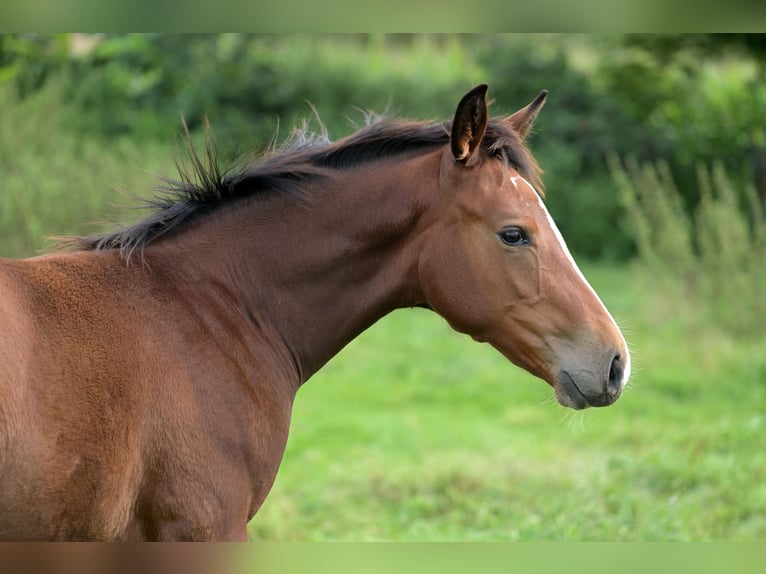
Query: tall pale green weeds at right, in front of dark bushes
x=714, y=260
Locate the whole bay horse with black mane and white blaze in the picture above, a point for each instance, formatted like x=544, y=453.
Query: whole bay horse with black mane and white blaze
x=147, y=375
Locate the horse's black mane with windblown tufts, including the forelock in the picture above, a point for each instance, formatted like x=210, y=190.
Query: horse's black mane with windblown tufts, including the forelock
x=204, y=185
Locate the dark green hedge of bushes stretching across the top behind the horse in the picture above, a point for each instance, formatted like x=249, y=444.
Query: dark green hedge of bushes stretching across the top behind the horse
x=682, y=99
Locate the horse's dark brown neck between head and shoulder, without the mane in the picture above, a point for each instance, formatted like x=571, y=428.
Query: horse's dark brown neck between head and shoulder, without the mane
x=314, y=273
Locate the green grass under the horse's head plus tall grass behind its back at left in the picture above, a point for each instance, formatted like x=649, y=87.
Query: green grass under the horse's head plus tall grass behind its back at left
x=416, y=433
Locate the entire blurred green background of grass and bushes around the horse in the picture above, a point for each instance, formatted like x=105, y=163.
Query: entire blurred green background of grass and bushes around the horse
x=654, y=151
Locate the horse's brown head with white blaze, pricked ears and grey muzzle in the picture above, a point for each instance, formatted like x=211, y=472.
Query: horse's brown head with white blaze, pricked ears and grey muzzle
x=495, y=266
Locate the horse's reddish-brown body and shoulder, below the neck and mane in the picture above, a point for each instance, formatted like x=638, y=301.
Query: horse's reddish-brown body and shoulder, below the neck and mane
x=119, y=417
